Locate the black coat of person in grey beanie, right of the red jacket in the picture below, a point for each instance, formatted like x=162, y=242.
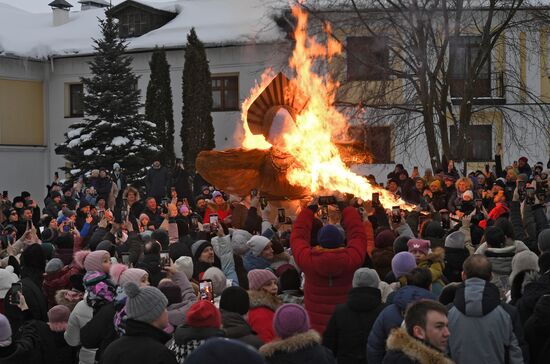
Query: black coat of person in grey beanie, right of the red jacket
x=349, y=327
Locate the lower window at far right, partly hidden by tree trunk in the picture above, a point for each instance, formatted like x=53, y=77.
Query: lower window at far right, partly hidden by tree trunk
x=480, y=146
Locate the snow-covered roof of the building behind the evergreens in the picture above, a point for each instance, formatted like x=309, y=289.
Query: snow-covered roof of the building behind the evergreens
x=216, y=22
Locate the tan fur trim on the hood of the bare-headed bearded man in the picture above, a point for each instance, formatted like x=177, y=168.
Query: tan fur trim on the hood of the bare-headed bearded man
x=400, y=340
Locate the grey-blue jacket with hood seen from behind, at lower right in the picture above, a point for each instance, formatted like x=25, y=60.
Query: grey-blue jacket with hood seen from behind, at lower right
x=491, y=330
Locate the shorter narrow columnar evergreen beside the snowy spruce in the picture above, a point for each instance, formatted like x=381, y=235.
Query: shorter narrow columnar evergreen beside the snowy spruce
x=158, y=105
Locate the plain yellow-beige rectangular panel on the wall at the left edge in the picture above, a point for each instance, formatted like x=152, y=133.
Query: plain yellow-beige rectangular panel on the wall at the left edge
x=21, y=112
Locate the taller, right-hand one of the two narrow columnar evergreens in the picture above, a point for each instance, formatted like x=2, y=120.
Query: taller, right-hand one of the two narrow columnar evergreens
x=197, y=130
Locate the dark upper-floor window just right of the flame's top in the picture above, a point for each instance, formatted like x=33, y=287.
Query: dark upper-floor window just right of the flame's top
x=367, y=58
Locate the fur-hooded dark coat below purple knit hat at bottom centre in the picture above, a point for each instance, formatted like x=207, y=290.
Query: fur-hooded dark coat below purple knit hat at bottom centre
x=302, y=348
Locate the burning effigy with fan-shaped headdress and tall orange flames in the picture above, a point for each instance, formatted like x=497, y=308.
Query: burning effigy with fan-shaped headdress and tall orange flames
x=296, y=142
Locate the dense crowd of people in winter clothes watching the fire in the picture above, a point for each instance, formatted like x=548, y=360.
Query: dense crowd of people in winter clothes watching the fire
x=100, y=274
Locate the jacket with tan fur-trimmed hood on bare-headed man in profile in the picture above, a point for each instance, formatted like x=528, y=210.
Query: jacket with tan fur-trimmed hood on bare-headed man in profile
x=403, y=349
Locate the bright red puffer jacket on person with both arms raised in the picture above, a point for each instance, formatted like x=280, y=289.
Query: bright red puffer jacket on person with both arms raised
x=328, y=272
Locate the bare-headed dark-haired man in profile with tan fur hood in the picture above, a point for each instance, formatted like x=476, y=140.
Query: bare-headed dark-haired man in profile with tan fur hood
x=424, y=338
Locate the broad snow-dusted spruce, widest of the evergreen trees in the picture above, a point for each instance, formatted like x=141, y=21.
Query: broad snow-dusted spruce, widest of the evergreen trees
x=112, y=130
